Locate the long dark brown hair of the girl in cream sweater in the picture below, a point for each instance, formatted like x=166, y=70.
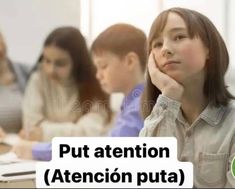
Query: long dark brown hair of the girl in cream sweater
x=71, y=40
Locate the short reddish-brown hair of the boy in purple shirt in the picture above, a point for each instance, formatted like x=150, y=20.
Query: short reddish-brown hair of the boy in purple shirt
x=121, y=39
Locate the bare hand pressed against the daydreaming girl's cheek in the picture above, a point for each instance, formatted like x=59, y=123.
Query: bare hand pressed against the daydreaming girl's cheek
x=167, y=85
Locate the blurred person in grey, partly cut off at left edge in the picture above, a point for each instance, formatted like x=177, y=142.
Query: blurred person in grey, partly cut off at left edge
x=13, y=78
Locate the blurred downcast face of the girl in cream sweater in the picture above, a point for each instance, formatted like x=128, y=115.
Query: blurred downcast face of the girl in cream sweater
x=57, y=63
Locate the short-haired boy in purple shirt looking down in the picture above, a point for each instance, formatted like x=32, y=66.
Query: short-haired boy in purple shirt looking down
x=120, y=57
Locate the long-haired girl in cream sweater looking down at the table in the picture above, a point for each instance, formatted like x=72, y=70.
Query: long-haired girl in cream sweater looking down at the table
x=63, y=97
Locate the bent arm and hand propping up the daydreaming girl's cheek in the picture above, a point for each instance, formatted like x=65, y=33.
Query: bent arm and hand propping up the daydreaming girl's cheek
x=166, y=109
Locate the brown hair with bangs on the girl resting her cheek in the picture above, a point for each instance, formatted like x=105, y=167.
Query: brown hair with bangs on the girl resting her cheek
x=200, y=26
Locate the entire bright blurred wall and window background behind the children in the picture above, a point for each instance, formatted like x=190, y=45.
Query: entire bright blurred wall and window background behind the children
x=26, y=23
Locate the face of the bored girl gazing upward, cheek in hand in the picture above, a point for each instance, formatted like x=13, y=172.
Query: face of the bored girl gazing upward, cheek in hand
x=177, y=55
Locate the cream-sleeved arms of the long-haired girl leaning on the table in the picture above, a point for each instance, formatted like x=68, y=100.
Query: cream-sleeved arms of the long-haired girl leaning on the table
x=36, y=125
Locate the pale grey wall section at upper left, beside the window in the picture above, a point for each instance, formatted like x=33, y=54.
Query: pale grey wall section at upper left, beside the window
x=26, y=23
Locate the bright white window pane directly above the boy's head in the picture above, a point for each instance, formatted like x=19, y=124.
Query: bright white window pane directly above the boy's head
x=139, y=13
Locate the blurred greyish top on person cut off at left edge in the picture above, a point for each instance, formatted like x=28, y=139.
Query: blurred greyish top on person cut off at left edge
x=10, y=108
